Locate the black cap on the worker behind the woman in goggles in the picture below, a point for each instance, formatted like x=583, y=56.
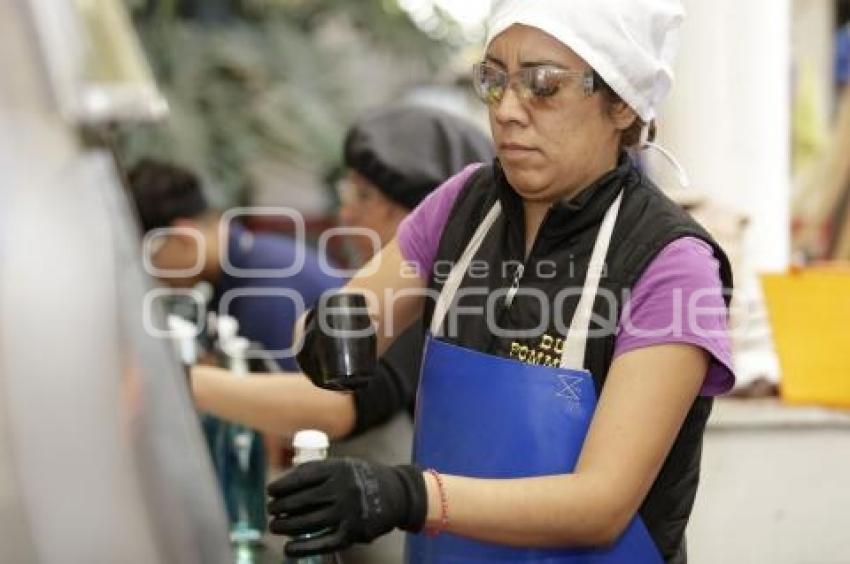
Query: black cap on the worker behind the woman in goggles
x=408, y=151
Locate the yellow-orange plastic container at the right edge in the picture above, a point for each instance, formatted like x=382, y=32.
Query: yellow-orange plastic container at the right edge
x=810, y=316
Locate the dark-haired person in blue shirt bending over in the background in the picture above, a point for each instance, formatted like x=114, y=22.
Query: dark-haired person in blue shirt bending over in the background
x=169, y=196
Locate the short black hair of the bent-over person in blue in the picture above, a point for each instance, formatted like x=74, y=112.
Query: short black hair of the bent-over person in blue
x=164, y=192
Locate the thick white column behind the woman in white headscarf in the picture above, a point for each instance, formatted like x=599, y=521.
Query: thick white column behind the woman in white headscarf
x=728, y=117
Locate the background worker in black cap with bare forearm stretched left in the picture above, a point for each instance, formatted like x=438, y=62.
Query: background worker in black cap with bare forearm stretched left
x=393, y=158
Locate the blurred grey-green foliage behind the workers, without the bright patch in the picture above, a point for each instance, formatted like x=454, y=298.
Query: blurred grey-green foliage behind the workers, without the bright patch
x=251, y=80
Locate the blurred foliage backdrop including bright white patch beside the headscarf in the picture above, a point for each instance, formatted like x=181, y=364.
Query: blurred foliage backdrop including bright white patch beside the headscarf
x=263, y=92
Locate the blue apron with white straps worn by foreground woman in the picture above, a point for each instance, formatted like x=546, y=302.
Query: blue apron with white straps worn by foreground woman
x=483, y=416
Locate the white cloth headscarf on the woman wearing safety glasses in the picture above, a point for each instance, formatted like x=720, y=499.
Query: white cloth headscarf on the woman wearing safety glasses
x=631, y=44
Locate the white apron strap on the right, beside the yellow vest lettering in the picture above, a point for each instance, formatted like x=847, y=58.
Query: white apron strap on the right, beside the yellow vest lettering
x=572, y=357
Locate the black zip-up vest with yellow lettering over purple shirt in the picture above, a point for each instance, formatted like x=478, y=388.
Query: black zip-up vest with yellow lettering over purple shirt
x=647, y=222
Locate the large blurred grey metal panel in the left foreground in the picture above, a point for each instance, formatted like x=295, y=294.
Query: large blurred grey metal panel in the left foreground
x=101, y=456
